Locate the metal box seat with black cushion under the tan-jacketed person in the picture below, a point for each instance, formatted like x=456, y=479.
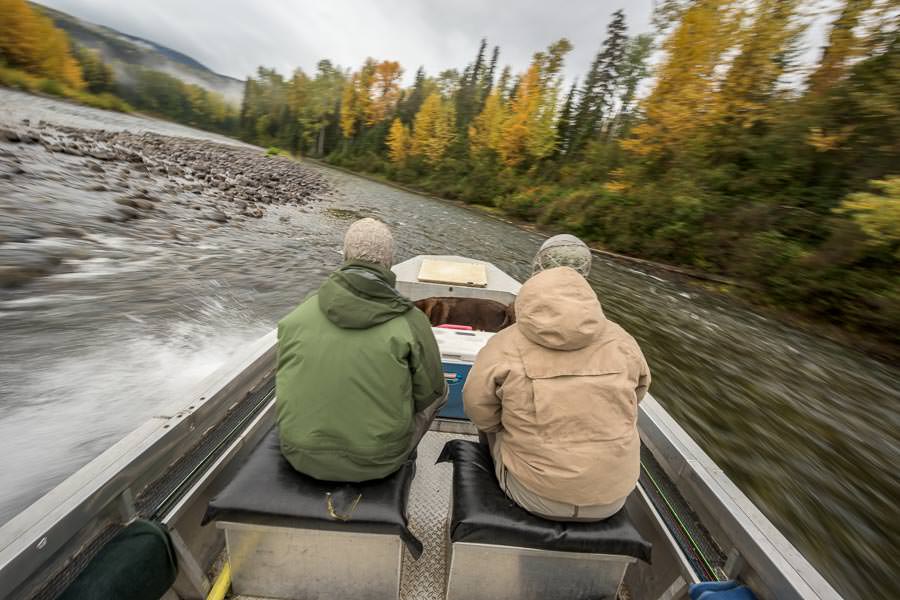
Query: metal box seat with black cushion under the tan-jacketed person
x=499, y=550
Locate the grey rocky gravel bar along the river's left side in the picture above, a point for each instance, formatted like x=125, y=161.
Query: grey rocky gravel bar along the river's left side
x=118, y=179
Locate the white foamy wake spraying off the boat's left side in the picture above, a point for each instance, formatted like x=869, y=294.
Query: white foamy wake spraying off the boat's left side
x=53, y=419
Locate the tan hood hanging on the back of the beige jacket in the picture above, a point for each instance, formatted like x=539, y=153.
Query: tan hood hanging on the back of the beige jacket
x=557, y=309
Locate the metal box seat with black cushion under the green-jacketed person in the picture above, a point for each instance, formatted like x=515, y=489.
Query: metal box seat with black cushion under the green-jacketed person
x=289, y=535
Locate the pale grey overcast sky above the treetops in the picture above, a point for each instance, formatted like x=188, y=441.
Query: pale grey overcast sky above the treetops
x=233, y=37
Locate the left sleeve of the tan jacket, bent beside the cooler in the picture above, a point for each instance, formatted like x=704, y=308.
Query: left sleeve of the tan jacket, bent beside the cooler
x=480, y=394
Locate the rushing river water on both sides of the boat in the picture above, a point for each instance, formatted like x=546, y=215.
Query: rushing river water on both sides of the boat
x=807, y=428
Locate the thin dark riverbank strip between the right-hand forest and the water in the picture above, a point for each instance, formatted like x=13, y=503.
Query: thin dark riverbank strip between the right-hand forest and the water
x=740, y=292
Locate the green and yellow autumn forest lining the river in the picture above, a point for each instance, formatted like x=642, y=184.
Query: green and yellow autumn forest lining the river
x=710, y=142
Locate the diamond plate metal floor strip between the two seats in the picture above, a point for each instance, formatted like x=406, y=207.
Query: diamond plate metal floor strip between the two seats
x=429, y=501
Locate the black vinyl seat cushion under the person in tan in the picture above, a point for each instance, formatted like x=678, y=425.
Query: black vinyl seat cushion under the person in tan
x=482, y=513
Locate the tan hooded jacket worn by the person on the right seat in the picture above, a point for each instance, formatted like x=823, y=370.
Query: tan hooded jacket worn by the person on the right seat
x=561, y=388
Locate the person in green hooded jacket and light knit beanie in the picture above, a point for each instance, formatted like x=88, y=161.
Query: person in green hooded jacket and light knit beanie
x=359, y=377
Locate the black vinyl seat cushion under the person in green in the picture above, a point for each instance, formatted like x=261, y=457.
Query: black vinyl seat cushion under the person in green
x=267, y=489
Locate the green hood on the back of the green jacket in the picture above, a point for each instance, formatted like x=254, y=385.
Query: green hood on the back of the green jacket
x=360, y=295
